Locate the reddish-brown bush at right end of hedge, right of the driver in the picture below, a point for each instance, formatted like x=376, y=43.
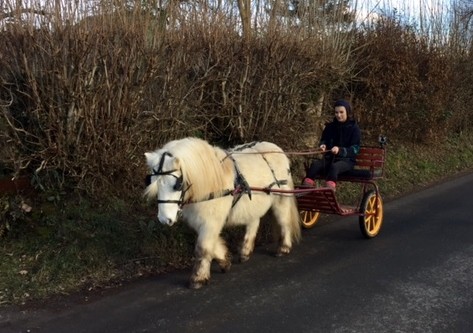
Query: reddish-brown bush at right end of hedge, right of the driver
x=406, y=87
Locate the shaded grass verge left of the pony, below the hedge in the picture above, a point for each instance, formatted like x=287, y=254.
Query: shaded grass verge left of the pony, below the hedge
x=80, y=248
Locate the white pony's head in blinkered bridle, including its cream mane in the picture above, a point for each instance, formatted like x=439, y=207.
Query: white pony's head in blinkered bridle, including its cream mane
x=185, y=171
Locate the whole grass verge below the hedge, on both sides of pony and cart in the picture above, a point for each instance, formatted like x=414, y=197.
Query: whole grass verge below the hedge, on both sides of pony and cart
x=69, y=246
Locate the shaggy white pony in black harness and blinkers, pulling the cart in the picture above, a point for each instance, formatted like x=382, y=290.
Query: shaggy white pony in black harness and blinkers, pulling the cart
x=211, y=188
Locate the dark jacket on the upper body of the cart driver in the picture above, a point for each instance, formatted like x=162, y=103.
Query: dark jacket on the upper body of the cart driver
x=346, y=135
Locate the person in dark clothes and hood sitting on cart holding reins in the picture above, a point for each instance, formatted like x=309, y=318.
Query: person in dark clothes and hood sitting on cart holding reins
x=339, y=143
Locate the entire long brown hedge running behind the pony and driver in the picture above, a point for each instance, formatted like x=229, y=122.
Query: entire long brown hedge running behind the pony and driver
x=80, y=103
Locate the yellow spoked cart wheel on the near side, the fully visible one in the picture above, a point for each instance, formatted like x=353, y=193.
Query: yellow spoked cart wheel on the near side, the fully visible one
x=372, y=218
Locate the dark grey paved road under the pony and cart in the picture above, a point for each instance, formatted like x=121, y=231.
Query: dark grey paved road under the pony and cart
x=416, y=276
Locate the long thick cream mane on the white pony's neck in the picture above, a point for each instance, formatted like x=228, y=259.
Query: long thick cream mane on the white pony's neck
x=203, y=167
